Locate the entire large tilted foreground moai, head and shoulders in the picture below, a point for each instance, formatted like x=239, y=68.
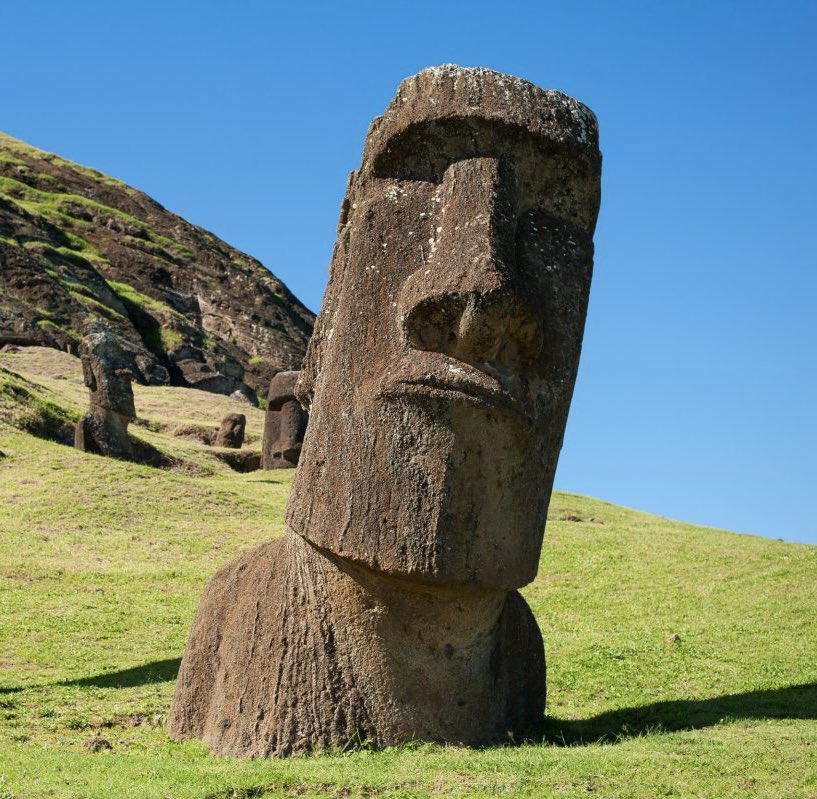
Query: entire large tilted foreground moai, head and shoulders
x=438, y=380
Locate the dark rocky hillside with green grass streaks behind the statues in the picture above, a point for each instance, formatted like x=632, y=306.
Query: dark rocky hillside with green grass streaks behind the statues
x=80, y=250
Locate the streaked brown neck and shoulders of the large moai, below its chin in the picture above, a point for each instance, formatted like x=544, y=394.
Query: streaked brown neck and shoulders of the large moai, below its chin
x=293, y=651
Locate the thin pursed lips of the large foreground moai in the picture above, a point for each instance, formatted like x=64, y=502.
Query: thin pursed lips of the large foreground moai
x=443, y=377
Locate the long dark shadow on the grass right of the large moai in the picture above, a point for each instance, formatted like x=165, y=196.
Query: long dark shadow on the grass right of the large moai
x=792, y=702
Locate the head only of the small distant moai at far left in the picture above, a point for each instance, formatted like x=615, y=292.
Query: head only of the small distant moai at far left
x=107, y=374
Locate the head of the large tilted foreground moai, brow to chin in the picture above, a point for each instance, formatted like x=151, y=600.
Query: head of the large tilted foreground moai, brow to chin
x=445, y=353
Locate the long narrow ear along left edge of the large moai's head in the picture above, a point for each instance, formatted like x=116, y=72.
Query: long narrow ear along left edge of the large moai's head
x=324, y=324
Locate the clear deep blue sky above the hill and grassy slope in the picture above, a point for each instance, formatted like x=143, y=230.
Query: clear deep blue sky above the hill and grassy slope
x=697, y=391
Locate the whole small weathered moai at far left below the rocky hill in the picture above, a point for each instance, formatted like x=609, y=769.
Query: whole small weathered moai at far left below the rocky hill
x=105, y=368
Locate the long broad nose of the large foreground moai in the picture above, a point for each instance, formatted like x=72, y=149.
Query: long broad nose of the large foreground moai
x=468, y=300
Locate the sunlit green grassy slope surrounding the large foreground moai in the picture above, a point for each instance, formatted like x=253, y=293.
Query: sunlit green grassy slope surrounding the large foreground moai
x=102, y=563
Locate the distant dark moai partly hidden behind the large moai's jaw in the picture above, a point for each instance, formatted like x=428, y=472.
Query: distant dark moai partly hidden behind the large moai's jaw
x=284, y=424
